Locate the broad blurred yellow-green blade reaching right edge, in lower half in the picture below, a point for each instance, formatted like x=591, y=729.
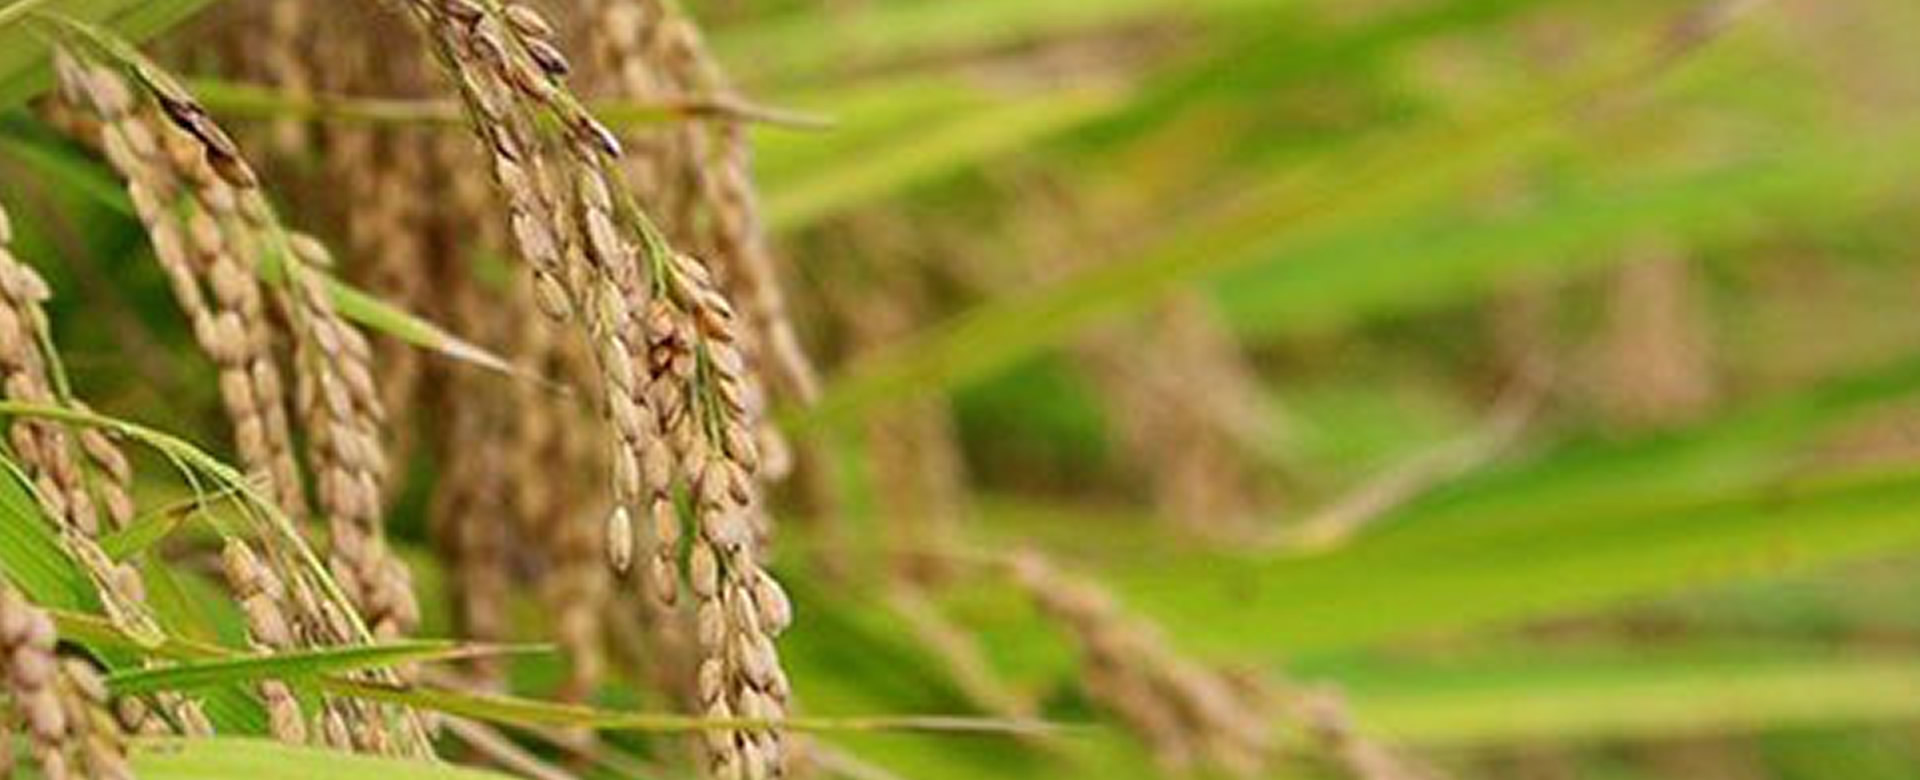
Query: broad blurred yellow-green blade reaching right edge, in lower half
x=1552, y=560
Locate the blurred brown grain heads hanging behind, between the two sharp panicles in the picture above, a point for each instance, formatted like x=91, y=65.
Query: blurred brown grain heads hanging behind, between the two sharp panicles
x=418, y=212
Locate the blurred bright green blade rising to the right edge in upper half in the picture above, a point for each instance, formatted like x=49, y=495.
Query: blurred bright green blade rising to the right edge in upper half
x=1360, y=274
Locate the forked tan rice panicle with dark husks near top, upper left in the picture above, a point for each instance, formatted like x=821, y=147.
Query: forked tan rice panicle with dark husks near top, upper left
x=176, y=158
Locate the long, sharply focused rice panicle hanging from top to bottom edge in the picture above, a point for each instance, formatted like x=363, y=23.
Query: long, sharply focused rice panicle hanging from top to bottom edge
x=600, y=258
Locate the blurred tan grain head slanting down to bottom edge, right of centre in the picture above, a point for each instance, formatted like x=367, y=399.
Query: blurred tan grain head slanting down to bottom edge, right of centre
x=1186, y=712
